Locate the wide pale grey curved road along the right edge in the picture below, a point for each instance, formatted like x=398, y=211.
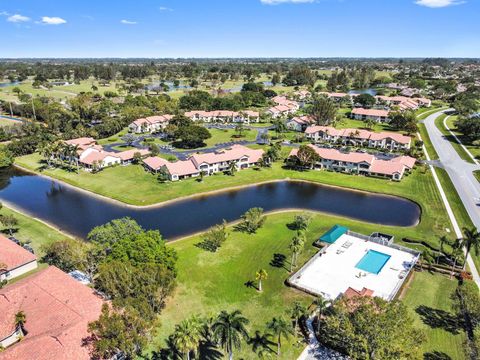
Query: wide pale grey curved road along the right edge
x=461, y=174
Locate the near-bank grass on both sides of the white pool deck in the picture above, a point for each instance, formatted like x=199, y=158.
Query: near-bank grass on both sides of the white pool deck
x=219, y=282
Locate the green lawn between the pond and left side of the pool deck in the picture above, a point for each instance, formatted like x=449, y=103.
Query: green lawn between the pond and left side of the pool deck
x=211, y=282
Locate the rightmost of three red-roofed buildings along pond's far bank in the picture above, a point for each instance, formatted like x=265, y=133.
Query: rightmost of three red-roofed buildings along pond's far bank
x=361, y=163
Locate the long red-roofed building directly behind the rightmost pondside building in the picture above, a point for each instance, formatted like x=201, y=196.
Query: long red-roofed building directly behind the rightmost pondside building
x=358, y=137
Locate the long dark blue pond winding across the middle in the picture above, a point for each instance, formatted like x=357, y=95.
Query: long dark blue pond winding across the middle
x=78, y=212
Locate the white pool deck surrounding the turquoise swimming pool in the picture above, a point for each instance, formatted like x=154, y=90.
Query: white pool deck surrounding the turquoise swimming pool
x=332, y=271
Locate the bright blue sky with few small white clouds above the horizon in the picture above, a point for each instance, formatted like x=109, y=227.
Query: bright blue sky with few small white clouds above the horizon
x=239, y=28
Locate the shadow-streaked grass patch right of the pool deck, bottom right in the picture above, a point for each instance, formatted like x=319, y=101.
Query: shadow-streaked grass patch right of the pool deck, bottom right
x=429, y=299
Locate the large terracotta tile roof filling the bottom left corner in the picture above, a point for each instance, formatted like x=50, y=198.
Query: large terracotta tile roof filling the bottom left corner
x=58, y=310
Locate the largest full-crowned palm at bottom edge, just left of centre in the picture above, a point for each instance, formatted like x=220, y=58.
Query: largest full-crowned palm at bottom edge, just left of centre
x=229, y=330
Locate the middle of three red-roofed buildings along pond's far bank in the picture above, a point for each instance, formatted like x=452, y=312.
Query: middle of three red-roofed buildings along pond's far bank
x=207, y=163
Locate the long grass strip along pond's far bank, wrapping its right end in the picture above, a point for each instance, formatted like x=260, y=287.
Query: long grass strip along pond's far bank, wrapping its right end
x=133, y=185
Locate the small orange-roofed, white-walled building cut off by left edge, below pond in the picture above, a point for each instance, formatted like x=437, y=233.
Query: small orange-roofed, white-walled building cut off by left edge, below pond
x=14, y=260
